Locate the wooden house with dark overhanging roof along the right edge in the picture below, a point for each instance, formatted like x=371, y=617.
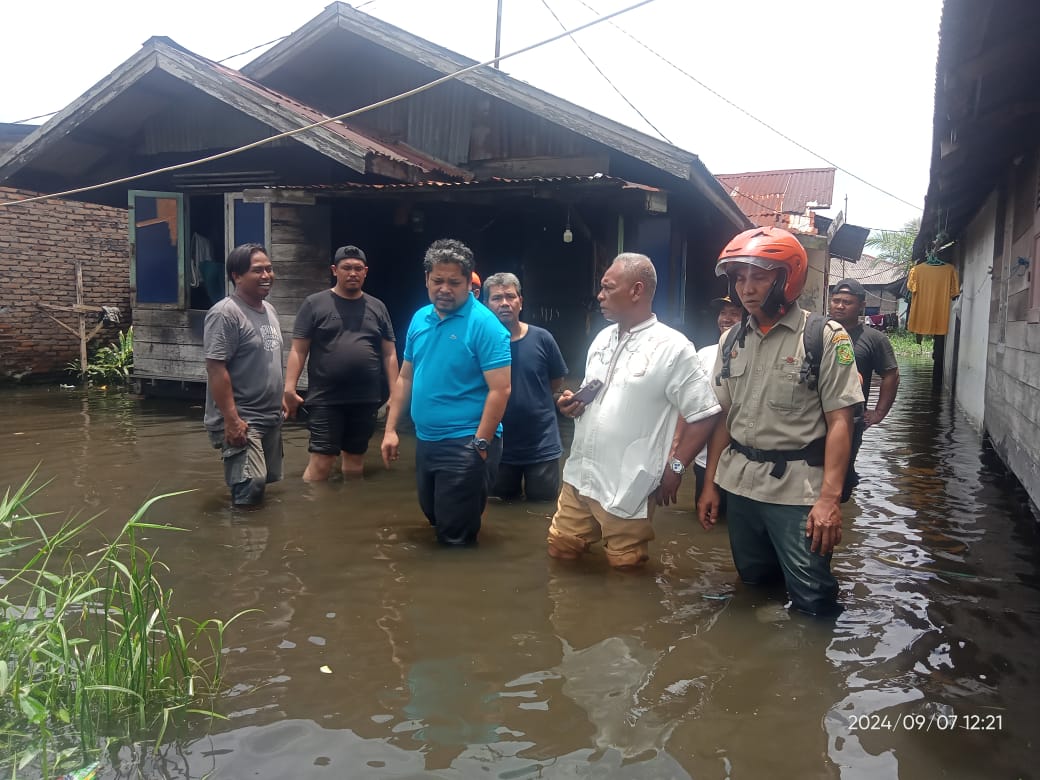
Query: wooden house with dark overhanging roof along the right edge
x=982, y=215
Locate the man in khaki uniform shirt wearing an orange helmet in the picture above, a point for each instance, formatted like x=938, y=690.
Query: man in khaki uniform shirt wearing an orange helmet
x=784, y=452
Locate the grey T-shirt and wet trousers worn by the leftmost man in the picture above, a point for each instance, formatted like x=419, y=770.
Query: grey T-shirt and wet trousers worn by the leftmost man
x=250, y=345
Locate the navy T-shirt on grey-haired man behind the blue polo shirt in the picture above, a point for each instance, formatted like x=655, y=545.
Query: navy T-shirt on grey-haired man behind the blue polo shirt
x=530, y=430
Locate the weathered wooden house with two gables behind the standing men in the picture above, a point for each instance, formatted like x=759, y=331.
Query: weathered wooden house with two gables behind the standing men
x=535, y=185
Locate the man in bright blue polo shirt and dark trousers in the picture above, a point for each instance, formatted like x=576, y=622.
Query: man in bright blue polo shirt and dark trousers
x=456, y=381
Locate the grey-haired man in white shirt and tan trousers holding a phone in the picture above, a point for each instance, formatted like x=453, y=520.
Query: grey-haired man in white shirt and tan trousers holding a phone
x=619, y=467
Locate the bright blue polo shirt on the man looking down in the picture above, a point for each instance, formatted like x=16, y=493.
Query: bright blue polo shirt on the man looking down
x=449, y=358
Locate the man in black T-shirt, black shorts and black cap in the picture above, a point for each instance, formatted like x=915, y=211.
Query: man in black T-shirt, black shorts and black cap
x=349, y=339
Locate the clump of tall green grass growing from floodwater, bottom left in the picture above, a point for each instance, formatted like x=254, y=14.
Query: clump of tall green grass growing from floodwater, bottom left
x=90, y=649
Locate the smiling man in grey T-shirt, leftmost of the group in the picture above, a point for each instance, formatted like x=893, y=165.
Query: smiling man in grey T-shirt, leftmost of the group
x=243, y=347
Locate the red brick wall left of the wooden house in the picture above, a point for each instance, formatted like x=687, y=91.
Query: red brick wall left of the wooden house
x=39, y=247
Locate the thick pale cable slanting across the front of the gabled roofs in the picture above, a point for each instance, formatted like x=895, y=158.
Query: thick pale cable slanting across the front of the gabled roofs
x=348, y=115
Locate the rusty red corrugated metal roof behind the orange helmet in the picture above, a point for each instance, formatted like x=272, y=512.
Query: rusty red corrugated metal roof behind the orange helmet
x=763, y=195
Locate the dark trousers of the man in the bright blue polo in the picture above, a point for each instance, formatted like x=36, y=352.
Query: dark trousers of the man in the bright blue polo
x=454, y=482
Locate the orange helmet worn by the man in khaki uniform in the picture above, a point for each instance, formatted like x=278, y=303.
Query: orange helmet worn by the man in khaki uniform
x=770, y=249
